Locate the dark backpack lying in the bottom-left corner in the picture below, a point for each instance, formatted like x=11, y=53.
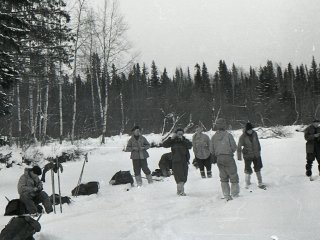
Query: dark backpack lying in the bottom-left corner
x=20, y=228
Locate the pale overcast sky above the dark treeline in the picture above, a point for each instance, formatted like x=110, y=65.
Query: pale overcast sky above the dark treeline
x=246, y=32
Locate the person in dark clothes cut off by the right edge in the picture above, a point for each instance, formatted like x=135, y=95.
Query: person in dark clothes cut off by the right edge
x=312, y=136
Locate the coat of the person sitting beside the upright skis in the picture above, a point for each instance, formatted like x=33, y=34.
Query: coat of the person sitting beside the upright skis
x=27, y=183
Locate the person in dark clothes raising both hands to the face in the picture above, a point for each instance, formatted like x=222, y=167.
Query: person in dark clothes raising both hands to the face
x=180, y=158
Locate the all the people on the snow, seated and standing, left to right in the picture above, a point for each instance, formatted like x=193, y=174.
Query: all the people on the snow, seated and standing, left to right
x=218, y=150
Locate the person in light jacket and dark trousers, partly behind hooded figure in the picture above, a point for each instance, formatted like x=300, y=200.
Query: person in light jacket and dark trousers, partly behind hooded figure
x=201, y=149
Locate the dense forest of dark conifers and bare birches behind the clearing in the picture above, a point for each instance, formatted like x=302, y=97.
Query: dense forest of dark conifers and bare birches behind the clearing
x=71, y=74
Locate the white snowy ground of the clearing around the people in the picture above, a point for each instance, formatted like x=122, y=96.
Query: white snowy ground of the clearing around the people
x=288, y=210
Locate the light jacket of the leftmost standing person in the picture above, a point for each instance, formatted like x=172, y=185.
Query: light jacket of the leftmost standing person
x=134, y=146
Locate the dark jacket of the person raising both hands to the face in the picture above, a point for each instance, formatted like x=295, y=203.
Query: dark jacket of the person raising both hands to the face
x=179, y=148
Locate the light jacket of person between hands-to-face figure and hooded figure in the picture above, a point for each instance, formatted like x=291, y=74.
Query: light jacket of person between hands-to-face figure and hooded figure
x=201, y=145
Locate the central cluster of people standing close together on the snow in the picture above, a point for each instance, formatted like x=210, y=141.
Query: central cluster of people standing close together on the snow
x=219, y=150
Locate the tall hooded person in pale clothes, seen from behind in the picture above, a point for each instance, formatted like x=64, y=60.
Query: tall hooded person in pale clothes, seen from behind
x=223, y=147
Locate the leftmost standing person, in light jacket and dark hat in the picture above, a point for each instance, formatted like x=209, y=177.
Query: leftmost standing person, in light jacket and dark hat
x=138, y=146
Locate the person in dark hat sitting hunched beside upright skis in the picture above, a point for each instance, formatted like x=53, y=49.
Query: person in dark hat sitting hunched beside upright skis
x=31, y=191
